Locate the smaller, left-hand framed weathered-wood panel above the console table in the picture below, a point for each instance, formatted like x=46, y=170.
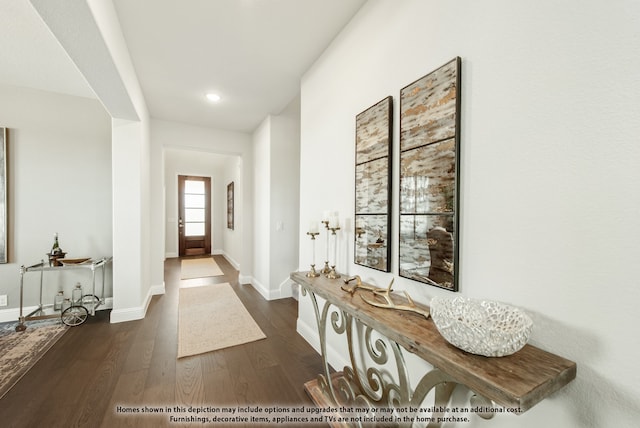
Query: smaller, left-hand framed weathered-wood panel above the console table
x=373, y=186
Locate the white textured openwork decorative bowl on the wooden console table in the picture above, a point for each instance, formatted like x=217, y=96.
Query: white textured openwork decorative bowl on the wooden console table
x=488, y=328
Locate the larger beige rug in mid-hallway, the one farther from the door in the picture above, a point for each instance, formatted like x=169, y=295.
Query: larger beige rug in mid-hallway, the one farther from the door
x=212, y=317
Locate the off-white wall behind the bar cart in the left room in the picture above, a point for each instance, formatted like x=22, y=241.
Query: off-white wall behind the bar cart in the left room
x=59, y=167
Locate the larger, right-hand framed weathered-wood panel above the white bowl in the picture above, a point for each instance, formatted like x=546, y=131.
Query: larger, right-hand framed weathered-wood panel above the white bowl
x=429, y=177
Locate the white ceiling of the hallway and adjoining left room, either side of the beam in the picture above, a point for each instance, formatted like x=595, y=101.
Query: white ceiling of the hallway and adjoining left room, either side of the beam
x=251, y=52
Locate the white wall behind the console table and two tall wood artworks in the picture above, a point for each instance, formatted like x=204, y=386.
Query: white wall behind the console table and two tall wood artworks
x=549, y=198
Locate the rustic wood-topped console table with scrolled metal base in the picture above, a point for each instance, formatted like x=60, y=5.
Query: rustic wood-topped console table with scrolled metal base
x=379, y=378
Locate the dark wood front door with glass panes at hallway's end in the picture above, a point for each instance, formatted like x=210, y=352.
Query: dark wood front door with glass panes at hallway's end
x=194, y=222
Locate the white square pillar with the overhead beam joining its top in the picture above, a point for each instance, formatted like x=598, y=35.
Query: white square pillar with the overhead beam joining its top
x=90, y=33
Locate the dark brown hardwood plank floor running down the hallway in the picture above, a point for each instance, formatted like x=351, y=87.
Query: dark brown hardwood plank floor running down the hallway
x=98, y=366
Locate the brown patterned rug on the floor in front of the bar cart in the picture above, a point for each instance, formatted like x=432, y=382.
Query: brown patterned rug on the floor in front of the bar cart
x=19, y=351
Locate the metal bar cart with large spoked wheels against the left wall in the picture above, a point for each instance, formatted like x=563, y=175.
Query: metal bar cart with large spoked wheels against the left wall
x=78, y=310
